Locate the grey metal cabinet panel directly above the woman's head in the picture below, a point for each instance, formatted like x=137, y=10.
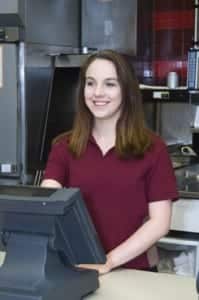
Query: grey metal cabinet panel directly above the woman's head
x=113, y=23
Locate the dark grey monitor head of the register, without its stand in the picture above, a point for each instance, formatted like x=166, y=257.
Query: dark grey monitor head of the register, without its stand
x=59, y=214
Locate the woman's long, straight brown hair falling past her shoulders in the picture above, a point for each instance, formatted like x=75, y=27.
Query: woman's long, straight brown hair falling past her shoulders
x=132, y=137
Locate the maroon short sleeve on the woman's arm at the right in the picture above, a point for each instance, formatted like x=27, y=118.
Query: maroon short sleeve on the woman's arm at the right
x=161, y=180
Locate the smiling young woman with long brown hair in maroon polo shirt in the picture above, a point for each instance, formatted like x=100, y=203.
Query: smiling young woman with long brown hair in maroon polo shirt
x=122, y=169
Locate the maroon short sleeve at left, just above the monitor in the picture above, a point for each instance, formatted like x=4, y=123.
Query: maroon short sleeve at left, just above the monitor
x=57, y=164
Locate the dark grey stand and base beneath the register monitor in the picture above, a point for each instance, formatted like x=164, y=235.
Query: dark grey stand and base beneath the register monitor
x=31, y=271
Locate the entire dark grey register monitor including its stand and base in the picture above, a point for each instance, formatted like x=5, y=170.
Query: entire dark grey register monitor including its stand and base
x=45, y=232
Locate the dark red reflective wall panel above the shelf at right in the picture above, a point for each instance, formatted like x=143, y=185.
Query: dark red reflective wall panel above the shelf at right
x=165, y=33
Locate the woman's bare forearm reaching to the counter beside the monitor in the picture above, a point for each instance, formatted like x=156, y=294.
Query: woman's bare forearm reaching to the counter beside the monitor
x=147, y=235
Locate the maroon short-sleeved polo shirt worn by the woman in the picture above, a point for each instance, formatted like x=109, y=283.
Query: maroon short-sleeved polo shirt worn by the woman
x=116, y=191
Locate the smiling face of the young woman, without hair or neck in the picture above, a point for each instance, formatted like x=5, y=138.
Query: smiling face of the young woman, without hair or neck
x=102, y=91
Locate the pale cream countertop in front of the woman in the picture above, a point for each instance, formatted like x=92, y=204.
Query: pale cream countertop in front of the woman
x=141, y=285
